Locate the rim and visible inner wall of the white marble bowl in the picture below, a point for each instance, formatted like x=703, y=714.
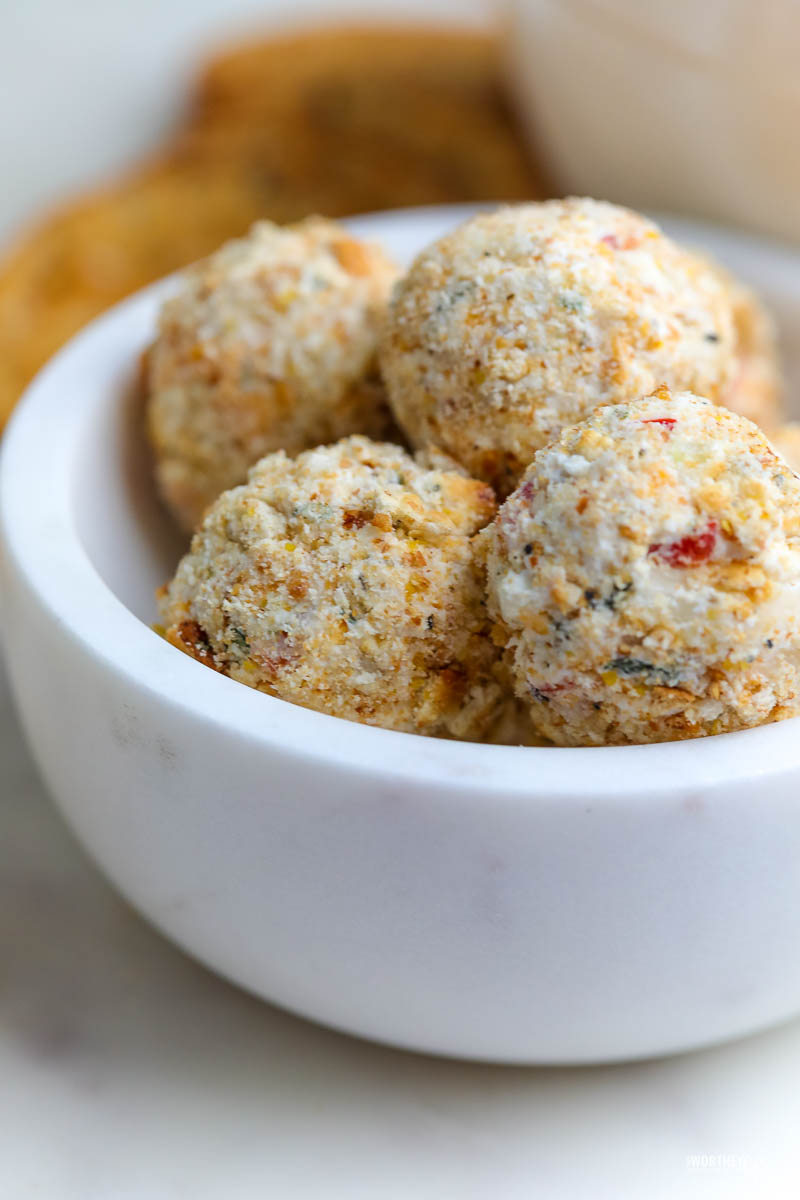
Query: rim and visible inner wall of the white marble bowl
x=95, y=543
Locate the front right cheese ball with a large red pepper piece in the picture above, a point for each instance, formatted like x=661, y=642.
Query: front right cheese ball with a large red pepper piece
x=646, y=577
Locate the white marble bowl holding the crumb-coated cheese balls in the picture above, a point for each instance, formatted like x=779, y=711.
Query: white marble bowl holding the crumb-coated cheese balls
x=521, y=905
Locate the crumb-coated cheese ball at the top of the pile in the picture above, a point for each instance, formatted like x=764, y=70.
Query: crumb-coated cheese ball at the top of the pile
x=522, y=321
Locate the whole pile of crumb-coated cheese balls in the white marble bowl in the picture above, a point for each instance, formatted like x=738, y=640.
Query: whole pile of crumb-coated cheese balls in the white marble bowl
x=585, y=538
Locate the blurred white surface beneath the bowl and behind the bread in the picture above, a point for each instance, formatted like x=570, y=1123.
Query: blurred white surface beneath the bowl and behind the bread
x=128, y=1072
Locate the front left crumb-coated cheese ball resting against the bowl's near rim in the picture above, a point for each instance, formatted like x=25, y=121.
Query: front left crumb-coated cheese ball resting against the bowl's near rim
x=346, y=581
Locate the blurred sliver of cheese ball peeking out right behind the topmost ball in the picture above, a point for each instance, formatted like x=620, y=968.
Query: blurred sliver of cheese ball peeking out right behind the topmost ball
x=756, y=387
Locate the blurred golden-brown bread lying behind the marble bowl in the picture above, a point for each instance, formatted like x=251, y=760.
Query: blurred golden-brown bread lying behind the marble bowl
x=335, y=122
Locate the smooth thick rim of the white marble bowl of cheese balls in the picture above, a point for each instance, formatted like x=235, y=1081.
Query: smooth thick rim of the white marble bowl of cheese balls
x=43, y=544
